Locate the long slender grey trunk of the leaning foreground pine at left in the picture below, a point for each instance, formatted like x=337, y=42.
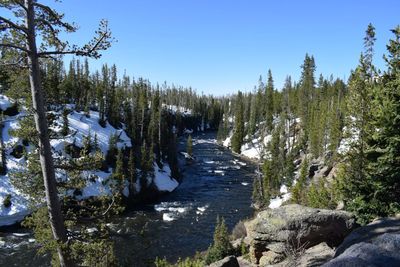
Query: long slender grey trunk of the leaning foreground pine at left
x=46, y=159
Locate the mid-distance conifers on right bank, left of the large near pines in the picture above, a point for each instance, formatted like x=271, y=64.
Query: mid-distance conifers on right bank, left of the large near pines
x=303, y=117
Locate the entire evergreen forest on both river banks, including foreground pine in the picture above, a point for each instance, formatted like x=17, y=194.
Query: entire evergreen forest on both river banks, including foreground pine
x=351, y=126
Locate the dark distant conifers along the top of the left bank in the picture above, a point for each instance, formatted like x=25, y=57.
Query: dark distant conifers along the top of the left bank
x=152, y=115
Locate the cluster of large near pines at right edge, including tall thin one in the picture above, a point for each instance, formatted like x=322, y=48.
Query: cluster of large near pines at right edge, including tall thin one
x=373, y=171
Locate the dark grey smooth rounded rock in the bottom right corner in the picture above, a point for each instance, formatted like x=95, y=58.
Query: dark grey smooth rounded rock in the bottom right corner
x=377, y=244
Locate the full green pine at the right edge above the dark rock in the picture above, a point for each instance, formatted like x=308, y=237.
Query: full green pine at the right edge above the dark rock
x=377, y=195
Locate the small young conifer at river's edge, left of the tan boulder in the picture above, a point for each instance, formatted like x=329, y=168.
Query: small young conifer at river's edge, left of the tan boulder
x=221, y=246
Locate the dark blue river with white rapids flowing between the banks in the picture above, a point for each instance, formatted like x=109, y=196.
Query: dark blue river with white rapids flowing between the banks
x=179, y=224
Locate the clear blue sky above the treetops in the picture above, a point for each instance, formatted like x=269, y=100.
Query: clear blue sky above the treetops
x=221, y=46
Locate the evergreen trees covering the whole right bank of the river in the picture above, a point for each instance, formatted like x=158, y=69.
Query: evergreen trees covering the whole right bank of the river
x=311, y=118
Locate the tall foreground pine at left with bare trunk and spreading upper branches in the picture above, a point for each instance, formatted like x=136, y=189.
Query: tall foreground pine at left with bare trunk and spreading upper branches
x=41, y=27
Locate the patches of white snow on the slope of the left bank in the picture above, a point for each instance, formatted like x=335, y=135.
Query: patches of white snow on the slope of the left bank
x=80, y=126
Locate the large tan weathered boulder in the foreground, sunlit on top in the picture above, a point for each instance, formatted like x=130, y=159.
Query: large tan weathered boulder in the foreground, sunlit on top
x=274, y=234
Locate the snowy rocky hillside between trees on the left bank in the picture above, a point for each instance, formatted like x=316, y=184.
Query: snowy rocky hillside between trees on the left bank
x=82, y=126
